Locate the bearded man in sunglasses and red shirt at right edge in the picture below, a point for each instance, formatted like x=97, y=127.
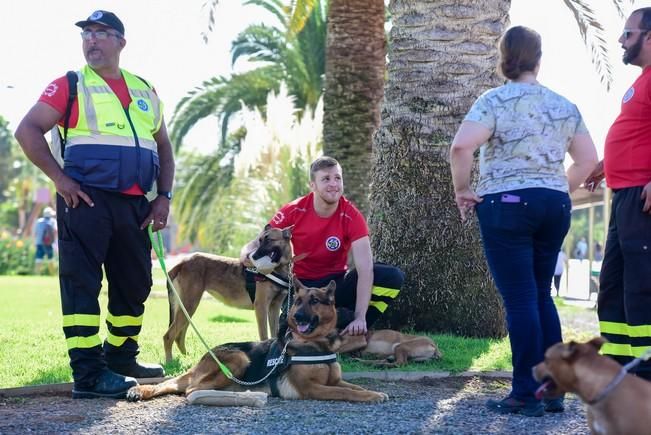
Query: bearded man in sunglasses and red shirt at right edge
x=625, y=280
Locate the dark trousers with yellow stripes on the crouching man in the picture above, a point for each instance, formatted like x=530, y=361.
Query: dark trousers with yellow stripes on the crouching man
x=387, y=282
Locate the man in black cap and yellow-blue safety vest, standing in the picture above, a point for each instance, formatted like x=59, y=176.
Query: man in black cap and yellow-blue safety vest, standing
x=115, y=148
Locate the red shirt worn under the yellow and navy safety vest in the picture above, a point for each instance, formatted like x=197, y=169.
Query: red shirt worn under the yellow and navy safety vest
x=56, y=96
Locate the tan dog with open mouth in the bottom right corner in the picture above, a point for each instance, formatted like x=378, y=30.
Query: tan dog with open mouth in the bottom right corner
x=617, y=402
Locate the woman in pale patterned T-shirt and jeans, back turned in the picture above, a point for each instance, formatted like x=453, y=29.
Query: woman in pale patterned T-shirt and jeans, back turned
x=522, y=201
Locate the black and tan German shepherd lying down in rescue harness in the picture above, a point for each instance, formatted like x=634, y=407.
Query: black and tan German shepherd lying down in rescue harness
x=312, y=330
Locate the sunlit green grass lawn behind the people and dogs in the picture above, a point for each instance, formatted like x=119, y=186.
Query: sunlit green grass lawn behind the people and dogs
x=34, y=351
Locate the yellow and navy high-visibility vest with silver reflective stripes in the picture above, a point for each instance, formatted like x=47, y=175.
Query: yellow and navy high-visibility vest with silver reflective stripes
x=112, y=148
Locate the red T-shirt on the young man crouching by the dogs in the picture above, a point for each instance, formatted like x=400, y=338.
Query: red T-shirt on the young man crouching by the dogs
x=325, y=240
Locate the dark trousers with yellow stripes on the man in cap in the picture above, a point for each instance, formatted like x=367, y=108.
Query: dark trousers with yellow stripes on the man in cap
x=108, y=235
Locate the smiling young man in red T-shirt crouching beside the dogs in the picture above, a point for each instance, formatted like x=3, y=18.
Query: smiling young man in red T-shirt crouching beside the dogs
x=326, y=226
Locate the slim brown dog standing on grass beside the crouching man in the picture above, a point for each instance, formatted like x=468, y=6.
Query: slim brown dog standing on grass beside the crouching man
x=223, y=278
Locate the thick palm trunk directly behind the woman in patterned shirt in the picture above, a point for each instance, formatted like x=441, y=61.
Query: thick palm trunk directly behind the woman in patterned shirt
x=442, y=56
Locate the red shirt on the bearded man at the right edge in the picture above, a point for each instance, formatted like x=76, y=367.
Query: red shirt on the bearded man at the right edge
x=627, y=152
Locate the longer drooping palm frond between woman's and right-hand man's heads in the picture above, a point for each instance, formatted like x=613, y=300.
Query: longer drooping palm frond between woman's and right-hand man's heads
x=592, y=33
